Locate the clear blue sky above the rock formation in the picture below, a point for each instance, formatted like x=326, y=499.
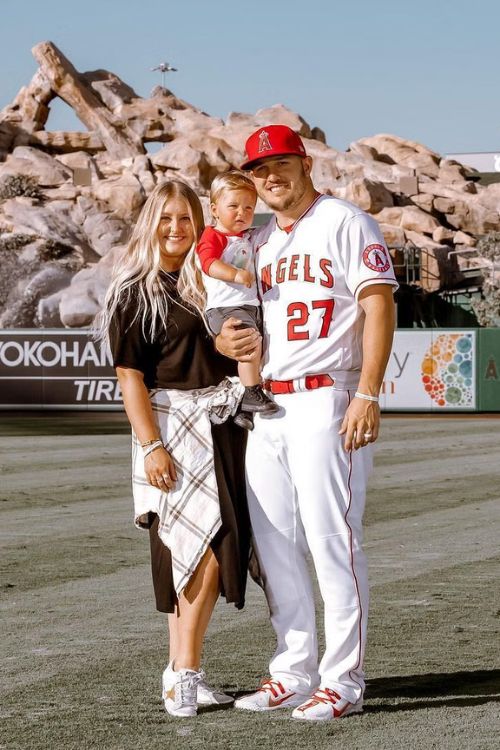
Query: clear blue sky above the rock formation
x=425, y=70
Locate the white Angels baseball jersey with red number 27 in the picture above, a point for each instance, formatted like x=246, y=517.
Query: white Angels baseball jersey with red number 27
x=309, y=277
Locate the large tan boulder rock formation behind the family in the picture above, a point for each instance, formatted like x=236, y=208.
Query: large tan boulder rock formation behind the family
x=68, y=199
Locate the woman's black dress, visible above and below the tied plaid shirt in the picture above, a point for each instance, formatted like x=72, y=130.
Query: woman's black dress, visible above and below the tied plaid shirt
x=184, y=357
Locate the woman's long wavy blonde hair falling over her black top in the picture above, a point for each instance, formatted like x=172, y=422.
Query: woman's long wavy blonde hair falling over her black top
x=137, y=272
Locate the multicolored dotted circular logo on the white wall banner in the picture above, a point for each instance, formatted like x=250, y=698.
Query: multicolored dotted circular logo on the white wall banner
x=447, y=370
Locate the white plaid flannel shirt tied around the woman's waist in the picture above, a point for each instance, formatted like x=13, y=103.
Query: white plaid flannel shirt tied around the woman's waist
x=189, y=514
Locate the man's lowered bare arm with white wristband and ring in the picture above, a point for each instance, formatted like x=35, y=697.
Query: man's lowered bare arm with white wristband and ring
x=364, y=416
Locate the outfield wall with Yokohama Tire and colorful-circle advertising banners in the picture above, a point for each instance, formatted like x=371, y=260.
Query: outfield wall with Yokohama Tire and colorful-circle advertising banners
x=429, y=370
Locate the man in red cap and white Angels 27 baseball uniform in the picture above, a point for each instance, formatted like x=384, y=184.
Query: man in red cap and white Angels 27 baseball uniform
x=326, y=283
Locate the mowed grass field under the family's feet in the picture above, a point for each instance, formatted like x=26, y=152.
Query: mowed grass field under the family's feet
x=82, y=648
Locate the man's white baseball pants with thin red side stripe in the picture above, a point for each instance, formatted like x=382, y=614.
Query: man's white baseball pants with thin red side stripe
x=306, y=493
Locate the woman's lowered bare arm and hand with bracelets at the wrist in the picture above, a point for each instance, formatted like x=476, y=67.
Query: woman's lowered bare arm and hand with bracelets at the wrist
x=158, y=465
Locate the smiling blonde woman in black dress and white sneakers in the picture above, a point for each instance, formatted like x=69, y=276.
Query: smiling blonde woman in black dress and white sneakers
x=160, y=347
